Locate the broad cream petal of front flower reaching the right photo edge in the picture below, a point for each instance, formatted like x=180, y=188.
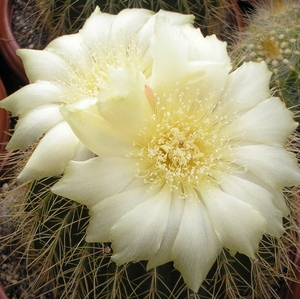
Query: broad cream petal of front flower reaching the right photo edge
x=275, y=165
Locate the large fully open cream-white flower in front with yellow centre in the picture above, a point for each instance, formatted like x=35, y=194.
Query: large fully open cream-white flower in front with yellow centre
x=188, y=161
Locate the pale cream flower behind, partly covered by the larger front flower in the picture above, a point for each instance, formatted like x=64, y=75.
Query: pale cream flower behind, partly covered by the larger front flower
x=72, y=68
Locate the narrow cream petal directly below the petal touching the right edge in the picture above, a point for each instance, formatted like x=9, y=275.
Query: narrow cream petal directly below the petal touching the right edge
x=260, y=199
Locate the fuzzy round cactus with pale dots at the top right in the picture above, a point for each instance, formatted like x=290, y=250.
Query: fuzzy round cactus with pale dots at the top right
x=273, y=35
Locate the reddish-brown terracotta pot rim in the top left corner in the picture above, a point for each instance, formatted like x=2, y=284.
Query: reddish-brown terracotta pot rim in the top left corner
x=8, y=44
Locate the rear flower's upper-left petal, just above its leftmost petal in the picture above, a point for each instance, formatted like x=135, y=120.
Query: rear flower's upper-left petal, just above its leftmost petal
x=44, y=65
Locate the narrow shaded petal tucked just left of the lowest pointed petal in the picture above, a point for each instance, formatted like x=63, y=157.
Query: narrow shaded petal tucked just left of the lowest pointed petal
x=164, y=254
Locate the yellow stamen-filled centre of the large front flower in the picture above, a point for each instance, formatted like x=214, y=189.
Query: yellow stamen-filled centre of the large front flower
x=185, y=147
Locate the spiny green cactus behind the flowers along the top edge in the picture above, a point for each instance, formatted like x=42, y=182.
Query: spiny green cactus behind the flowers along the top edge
x=67, y=17
